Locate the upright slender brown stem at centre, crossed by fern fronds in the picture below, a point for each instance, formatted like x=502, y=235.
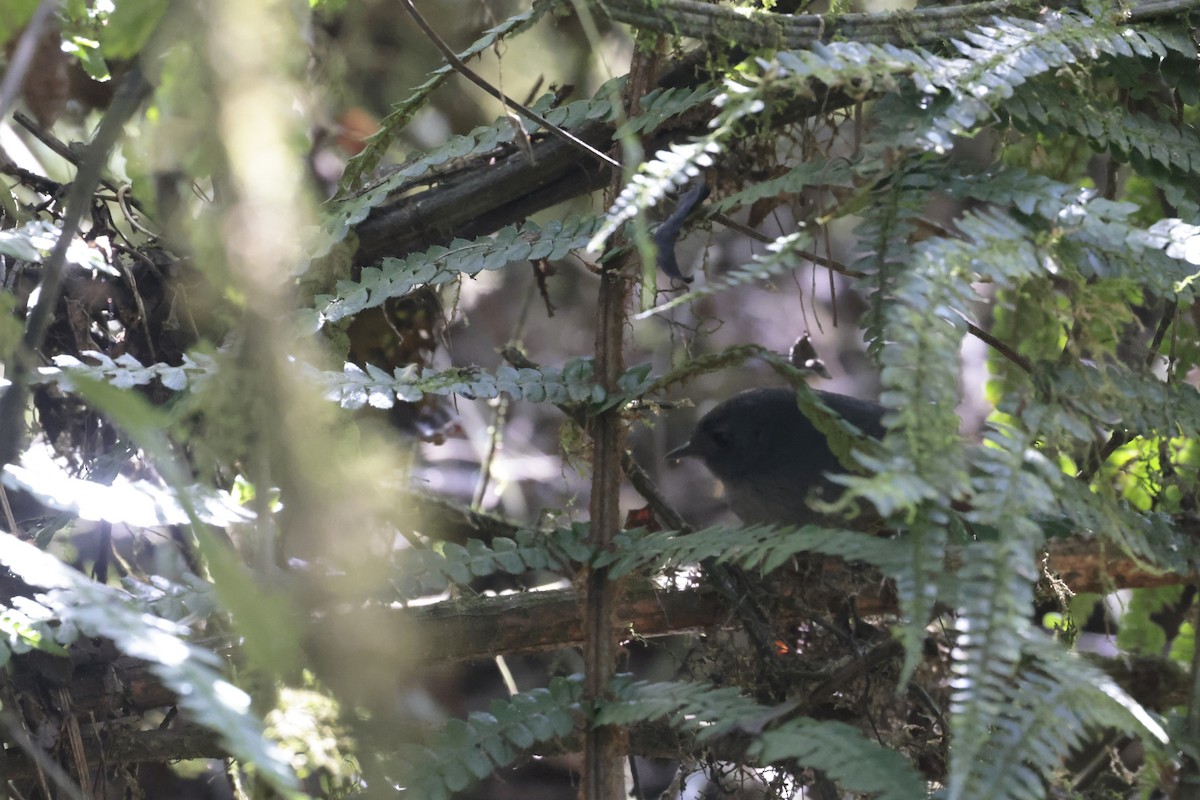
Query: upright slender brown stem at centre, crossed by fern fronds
x=604, y=748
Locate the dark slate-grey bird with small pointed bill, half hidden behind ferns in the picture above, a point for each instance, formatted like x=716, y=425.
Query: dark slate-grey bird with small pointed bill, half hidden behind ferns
x=771, y=459
